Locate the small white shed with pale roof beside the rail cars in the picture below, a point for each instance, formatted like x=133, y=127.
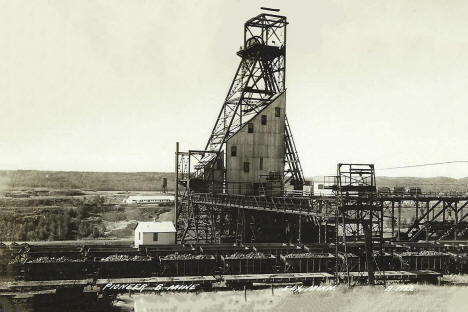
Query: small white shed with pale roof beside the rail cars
x=155, y=233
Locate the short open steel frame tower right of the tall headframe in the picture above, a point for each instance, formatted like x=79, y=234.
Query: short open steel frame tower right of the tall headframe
x=358, y=216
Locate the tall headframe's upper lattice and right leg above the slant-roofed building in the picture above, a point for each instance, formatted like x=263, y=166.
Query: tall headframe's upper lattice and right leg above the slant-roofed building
x=260, y=78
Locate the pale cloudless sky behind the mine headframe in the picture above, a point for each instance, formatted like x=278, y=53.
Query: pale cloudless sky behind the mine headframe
x=112, y=85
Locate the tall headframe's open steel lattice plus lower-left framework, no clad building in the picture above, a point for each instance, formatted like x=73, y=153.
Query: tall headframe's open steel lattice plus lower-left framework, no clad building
x=259, y=80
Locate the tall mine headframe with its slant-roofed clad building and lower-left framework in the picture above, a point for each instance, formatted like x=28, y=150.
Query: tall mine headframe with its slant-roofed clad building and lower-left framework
x=250, y=151
